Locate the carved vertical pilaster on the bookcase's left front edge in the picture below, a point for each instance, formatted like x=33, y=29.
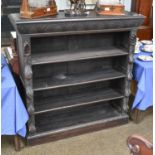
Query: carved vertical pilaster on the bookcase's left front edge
x=28, y=82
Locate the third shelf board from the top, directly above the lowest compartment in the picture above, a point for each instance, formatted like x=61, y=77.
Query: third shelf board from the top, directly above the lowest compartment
x=60, y=103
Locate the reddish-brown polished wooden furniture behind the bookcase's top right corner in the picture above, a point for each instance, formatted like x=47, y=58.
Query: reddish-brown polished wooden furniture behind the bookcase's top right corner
x=145, y=8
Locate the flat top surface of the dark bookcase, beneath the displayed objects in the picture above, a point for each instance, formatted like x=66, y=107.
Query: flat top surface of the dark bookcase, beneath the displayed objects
x=61, y=17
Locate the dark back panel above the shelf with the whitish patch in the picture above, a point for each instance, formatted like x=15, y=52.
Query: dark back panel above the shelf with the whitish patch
x=78, y=67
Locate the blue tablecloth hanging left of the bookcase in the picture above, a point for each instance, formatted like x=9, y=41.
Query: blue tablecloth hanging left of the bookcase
x=13, y=113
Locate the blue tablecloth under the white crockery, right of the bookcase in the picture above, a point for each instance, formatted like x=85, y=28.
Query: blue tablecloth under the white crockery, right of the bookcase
x=143, y=74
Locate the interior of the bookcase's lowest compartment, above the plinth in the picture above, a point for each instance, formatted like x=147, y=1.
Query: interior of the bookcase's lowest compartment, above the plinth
x=74, y=118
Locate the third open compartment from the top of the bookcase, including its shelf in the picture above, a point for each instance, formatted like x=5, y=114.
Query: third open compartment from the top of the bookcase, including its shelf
x=77, y=96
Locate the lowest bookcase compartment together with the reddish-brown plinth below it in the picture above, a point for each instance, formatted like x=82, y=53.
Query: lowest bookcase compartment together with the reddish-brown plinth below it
x=71, y=123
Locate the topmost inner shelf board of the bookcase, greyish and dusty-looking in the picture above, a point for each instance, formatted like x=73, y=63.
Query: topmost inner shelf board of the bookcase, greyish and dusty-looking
x=65, y=56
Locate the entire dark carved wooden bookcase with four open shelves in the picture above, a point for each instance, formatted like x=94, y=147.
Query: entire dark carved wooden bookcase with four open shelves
x=76, y=72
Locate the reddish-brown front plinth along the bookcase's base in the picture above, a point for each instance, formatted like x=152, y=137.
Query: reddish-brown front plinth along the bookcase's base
x=49, y=136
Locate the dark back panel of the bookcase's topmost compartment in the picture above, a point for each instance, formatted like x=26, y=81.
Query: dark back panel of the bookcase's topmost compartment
x=73, y=43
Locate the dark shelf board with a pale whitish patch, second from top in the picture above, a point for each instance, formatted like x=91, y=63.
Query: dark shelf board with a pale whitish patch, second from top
x=73, y=80
